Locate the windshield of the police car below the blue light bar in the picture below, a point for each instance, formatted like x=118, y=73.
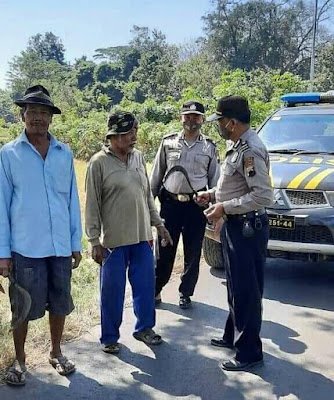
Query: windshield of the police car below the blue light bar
x=299, y=133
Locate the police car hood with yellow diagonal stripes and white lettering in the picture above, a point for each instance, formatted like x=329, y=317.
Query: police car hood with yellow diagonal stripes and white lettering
x=314, y=172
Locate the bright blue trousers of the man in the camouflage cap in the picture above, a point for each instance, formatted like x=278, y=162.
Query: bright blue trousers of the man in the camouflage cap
x=138, y=259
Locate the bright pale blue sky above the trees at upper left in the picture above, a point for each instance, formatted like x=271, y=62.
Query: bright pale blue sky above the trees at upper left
x=86, y=25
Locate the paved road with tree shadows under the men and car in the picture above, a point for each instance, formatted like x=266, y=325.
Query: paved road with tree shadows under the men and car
x=297, y=335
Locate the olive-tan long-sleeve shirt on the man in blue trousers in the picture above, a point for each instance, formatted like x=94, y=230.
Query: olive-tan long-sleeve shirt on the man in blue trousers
x=119, y=203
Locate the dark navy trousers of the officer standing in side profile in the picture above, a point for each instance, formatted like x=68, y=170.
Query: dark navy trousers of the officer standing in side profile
x=244, y=261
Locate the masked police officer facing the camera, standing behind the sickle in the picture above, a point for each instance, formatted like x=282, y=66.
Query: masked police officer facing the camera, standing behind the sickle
x=196, y=153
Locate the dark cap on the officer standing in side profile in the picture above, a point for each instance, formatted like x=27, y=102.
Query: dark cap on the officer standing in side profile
x=231, y=107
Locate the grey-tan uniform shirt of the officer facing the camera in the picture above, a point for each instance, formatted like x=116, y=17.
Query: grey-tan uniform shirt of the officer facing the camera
x=198, y=158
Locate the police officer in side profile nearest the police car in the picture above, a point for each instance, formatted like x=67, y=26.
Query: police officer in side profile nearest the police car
x=243, y=191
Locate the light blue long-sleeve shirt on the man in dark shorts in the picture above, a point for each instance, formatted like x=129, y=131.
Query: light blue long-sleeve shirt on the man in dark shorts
x=39, y=203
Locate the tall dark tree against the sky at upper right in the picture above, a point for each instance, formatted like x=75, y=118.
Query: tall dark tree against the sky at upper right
x=263, y=34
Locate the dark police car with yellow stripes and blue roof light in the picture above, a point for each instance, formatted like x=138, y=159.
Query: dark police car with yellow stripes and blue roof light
x=300, y=142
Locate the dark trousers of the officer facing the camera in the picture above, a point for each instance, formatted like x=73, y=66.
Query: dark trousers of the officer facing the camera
x=186, y=218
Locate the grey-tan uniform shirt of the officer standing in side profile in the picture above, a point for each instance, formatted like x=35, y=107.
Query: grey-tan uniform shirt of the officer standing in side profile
x=244, y=183
